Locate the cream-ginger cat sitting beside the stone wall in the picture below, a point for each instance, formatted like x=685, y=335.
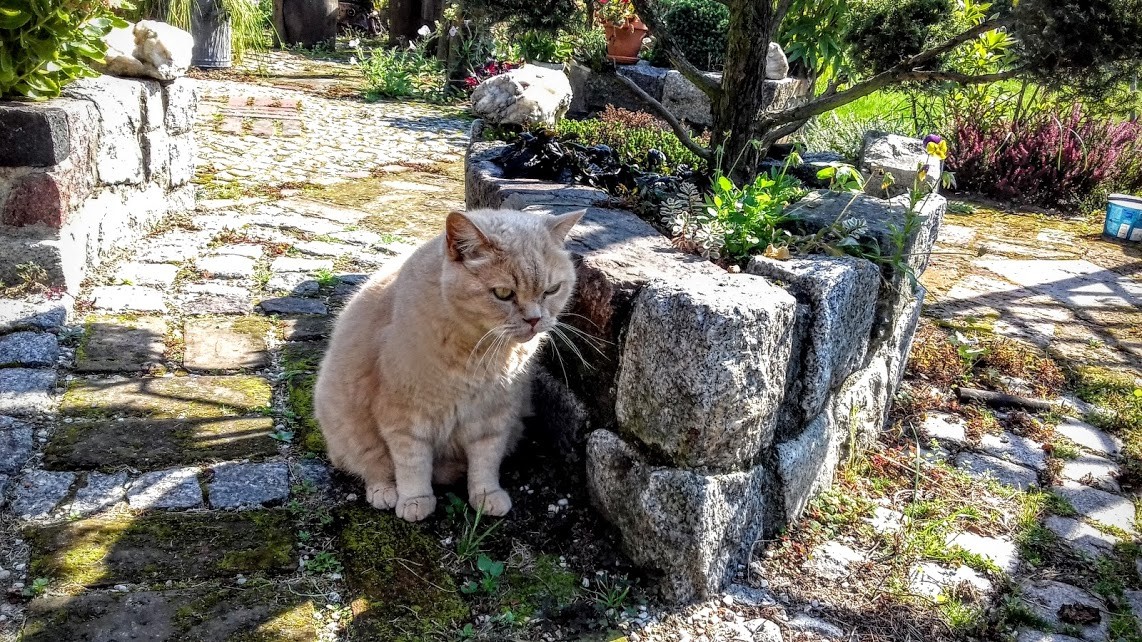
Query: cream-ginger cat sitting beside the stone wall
x=428, y=371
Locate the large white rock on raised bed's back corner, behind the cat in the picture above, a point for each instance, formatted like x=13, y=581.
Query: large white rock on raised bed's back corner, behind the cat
x=529, y=95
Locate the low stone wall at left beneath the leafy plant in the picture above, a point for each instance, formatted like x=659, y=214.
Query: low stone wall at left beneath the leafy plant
x=87, y=174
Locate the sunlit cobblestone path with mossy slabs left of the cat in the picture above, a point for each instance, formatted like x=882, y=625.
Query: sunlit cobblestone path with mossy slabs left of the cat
x=158, y=478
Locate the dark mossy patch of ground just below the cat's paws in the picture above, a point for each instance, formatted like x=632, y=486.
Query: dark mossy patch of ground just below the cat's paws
x=400, y=591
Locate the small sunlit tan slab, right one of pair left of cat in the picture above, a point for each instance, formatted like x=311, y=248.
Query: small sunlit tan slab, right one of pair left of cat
x=227, y=344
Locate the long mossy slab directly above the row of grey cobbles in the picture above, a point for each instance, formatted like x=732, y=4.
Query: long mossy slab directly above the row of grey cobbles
x=148, y=445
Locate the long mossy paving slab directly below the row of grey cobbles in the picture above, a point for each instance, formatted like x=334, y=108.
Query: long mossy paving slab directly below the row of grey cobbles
x=163, y=547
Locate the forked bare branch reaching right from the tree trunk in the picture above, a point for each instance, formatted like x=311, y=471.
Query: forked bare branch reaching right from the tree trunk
x=905, y=70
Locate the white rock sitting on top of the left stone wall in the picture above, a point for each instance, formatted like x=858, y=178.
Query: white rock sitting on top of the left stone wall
x=148, y=50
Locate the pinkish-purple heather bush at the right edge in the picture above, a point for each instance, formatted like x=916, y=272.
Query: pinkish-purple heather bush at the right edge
x=1050, y=159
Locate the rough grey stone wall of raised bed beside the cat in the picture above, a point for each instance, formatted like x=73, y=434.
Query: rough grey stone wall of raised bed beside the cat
x=714, y=406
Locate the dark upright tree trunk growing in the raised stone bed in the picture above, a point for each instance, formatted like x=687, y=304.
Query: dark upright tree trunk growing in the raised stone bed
x=742, y=86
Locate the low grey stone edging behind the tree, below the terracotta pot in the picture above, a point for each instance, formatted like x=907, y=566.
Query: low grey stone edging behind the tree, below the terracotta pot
x=593, y=92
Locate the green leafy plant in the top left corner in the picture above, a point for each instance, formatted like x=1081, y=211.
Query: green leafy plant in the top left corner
x=47, y=44
